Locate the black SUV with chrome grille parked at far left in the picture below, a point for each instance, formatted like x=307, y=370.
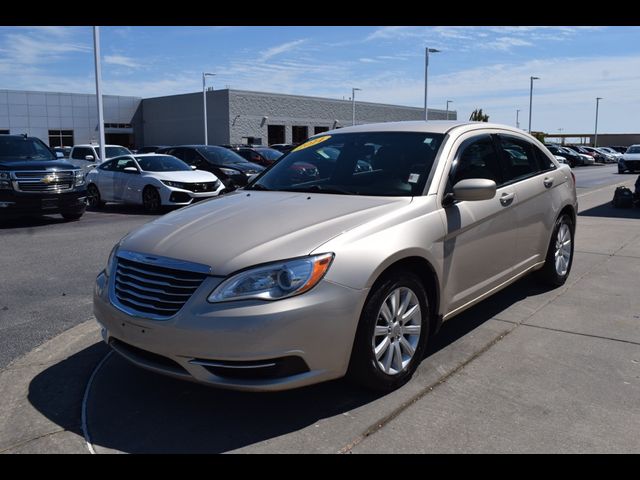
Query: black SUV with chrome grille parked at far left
x=33, y=181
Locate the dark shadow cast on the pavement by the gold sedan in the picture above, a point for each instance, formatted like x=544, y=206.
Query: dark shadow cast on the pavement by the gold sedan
x=136, y=411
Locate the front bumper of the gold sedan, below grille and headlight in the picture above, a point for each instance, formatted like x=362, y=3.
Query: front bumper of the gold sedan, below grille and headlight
x=315, y=329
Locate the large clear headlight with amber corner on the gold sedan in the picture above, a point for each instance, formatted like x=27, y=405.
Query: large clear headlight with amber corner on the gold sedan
x=274, y=281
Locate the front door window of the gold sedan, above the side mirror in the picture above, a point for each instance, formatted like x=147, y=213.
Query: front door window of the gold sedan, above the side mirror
x=476, y=158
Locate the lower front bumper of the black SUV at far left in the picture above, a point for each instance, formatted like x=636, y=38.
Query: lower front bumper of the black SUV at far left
x=18, y=203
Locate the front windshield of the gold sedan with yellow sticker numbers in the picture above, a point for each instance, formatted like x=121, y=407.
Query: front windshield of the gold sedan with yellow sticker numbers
x=370, y=163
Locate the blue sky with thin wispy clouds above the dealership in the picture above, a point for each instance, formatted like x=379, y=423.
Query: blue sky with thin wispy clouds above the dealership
x=479, y=67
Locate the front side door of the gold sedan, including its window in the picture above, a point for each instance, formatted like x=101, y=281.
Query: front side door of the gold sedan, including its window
x=479, y=244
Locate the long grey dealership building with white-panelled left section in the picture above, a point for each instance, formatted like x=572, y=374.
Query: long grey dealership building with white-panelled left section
x=233, y=116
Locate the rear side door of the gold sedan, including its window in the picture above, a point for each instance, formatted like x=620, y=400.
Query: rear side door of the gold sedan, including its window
x=533, y=176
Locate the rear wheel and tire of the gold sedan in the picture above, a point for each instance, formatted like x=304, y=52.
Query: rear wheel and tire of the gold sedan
x=555, y=272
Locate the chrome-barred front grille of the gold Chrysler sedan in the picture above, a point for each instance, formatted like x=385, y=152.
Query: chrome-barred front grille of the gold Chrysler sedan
x=153, y=290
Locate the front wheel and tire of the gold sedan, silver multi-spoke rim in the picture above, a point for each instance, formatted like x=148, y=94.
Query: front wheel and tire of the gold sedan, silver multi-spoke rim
x=388, y=371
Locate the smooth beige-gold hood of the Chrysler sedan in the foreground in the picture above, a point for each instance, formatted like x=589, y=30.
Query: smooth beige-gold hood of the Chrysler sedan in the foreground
x=244, y=228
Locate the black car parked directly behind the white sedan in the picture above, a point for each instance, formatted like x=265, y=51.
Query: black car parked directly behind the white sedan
x=232, y=170
